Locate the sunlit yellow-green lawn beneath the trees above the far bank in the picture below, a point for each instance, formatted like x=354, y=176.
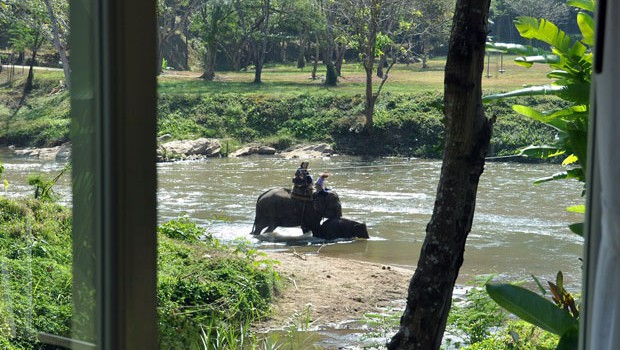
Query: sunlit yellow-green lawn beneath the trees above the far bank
x=283, y=80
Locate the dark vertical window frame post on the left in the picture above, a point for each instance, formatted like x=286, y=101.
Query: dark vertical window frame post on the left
x=113, y=108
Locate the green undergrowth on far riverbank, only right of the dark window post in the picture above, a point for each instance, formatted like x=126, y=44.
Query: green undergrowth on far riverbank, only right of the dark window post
x=405, y=124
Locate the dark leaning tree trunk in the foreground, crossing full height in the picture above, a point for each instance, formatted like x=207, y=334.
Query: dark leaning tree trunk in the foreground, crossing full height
x=468, y=133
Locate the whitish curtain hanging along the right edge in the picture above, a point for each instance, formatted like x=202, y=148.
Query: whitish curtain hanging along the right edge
x=603, y=284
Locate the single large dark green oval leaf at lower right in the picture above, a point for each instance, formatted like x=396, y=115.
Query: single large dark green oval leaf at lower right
x=532, y=308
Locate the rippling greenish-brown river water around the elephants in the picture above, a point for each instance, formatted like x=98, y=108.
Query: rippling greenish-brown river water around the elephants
x=519, y=229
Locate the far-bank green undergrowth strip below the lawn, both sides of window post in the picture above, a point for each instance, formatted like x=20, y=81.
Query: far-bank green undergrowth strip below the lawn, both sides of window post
x=406, y=123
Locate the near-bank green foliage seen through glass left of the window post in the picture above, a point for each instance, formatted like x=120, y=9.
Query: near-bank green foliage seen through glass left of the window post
x=35, y=271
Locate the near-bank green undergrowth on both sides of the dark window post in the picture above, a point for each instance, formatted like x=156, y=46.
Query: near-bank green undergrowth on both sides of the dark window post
x=203, y=285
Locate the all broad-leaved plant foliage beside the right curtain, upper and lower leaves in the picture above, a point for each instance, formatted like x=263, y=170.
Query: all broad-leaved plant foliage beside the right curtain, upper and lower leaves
x=572, y=64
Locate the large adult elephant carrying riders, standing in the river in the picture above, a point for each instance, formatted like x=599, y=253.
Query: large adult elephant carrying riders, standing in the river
x=275, y=207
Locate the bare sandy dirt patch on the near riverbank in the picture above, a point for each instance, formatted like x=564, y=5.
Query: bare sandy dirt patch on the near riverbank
x=334, y=290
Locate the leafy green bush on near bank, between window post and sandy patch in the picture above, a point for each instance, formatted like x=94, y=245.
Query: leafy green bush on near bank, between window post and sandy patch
x=207, y=288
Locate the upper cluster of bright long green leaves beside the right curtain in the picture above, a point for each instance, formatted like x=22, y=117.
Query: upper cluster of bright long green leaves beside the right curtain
x=571, y=64
